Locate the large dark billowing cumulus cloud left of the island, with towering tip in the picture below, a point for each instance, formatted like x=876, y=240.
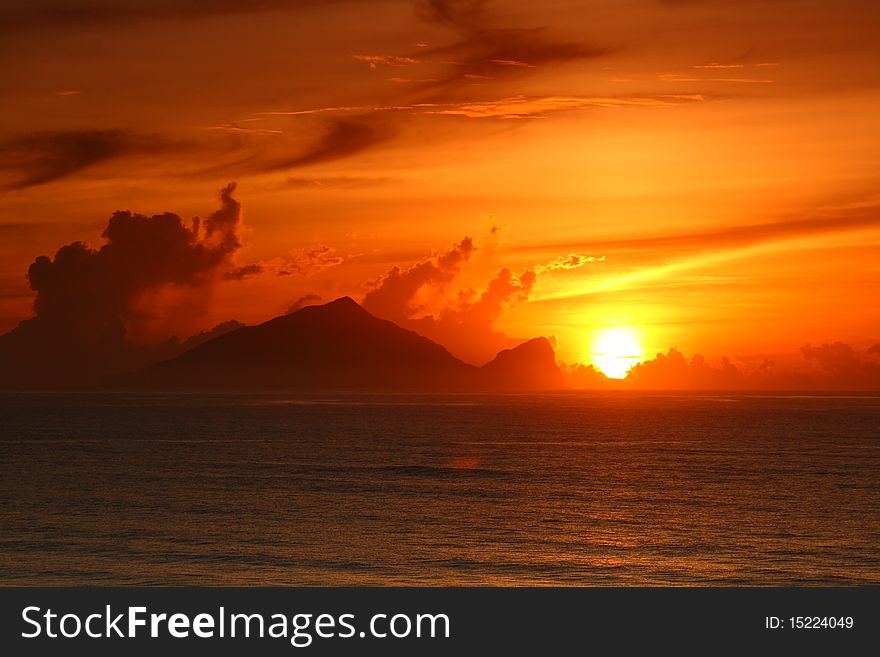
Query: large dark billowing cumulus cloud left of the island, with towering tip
x=88, y=299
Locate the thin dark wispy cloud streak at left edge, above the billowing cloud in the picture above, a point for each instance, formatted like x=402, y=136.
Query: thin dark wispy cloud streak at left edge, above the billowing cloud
x=43, y=157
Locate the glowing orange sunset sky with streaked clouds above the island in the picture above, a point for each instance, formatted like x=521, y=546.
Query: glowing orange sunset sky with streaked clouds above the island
x=697, y=174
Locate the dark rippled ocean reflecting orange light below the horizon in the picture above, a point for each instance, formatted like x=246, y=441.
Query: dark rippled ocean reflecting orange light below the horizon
x=571, y=489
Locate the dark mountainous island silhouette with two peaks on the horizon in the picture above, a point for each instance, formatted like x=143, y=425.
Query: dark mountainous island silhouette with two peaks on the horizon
x=341, y=346
